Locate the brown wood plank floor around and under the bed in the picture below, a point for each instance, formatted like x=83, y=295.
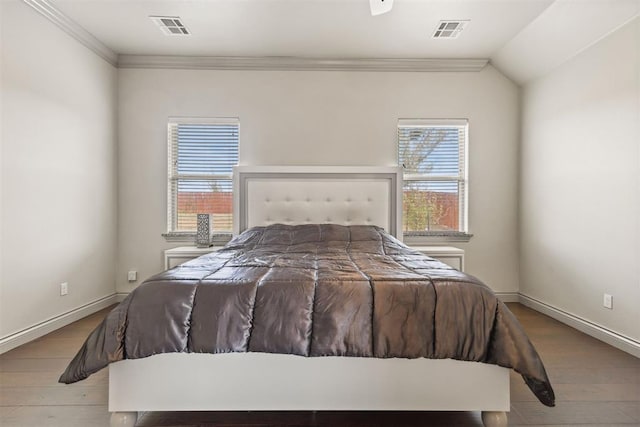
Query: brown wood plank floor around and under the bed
x=595, y=384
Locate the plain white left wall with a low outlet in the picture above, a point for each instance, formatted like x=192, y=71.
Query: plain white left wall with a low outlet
x=58, y=171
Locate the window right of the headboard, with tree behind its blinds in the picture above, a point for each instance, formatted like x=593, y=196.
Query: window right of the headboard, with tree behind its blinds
x=432, y=154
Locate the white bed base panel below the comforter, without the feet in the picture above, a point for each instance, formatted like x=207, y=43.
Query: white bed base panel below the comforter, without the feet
x=259, y=381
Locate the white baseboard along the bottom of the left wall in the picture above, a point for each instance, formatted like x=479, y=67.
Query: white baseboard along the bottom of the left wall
x=36, y=331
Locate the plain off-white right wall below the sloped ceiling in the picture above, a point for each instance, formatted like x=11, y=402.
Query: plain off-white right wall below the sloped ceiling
x=580, y=188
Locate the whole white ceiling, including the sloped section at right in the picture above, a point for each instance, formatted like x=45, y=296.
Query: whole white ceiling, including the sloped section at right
x=523, y=38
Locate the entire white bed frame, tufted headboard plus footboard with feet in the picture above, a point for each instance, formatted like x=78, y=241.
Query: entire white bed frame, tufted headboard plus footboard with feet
x=259, y=381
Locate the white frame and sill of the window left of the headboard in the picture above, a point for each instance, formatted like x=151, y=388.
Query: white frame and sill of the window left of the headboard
x=171, y=235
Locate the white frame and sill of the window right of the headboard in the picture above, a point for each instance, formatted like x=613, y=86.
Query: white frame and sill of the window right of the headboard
x=461, y=235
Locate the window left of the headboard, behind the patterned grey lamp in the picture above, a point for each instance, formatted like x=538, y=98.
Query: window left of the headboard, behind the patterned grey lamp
x=202, y=153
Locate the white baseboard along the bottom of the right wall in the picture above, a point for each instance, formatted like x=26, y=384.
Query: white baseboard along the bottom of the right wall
x=615, y=339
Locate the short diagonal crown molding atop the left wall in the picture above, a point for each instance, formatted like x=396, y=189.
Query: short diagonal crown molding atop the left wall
x=49, y=11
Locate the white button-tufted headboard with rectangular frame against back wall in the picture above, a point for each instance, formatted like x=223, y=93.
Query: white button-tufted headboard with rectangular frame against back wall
x=266, y=195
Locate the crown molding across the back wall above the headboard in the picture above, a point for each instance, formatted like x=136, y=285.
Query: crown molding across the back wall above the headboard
x=299, y=64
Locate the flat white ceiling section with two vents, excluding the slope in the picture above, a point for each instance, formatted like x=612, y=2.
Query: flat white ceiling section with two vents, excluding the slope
x=305, y=28
